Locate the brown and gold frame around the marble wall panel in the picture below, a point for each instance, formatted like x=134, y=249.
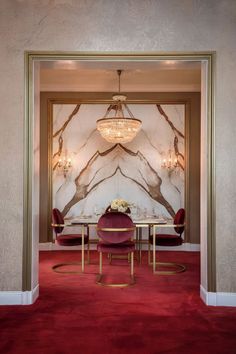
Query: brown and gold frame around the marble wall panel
x=48, y=99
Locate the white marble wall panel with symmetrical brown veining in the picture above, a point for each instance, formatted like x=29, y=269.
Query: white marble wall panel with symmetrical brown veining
x=101, y=171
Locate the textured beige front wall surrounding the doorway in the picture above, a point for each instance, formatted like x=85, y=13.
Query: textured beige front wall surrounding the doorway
x=104, y=25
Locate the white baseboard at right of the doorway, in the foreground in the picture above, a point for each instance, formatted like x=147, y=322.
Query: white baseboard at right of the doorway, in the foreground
x=218, y=299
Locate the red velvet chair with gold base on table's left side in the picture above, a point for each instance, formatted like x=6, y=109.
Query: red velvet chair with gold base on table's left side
x=67, y=239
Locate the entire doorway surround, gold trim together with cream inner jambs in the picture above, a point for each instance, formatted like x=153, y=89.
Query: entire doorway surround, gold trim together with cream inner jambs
x=31, y=186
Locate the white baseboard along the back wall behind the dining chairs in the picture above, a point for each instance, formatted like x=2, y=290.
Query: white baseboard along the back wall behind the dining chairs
x=188, y=247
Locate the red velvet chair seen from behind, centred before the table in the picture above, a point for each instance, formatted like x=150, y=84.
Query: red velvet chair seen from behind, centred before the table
x=116, y=231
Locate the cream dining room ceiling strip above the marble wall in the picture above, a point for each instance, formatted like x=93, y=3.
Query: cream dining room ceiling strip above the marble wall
x=136, y=76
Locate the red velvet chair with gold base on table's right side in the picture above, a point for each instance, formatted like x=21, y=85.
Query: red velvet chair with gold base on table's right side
x=168, y=240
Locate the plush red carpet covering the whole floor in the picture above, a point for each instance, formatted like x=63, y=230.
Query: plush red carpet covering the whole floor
x=160, y=314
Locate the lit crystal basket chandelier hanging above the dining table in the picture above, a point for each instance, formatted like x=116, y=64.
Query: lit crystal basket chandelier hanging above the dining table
x=117, y=126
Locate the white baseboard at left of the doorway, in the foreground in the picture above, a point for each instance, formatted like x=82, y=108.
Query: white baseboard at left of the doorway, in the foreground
x=19, y=297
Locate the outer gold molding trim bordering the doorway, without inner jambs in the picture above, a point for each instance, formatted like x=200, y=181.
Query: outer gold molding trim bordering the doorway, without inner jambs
x=32, y=57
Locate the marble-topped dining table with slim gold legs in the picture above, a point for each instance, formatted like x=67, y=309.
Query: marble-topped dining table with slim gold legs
x=140, y=222
